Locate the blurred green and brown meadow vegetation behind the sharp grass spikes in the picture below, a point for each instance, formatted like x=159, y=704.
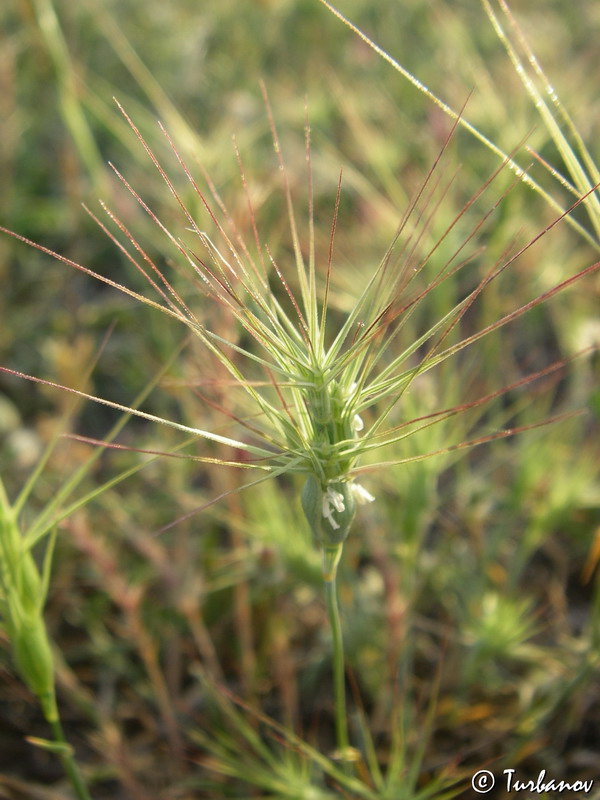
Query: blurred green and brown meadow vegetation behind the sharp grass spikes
x=470, y=599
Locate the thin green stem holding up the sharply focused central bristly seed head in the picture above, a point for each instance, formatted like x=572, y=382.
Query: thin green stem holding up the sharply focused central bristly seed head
x=331, y=558
